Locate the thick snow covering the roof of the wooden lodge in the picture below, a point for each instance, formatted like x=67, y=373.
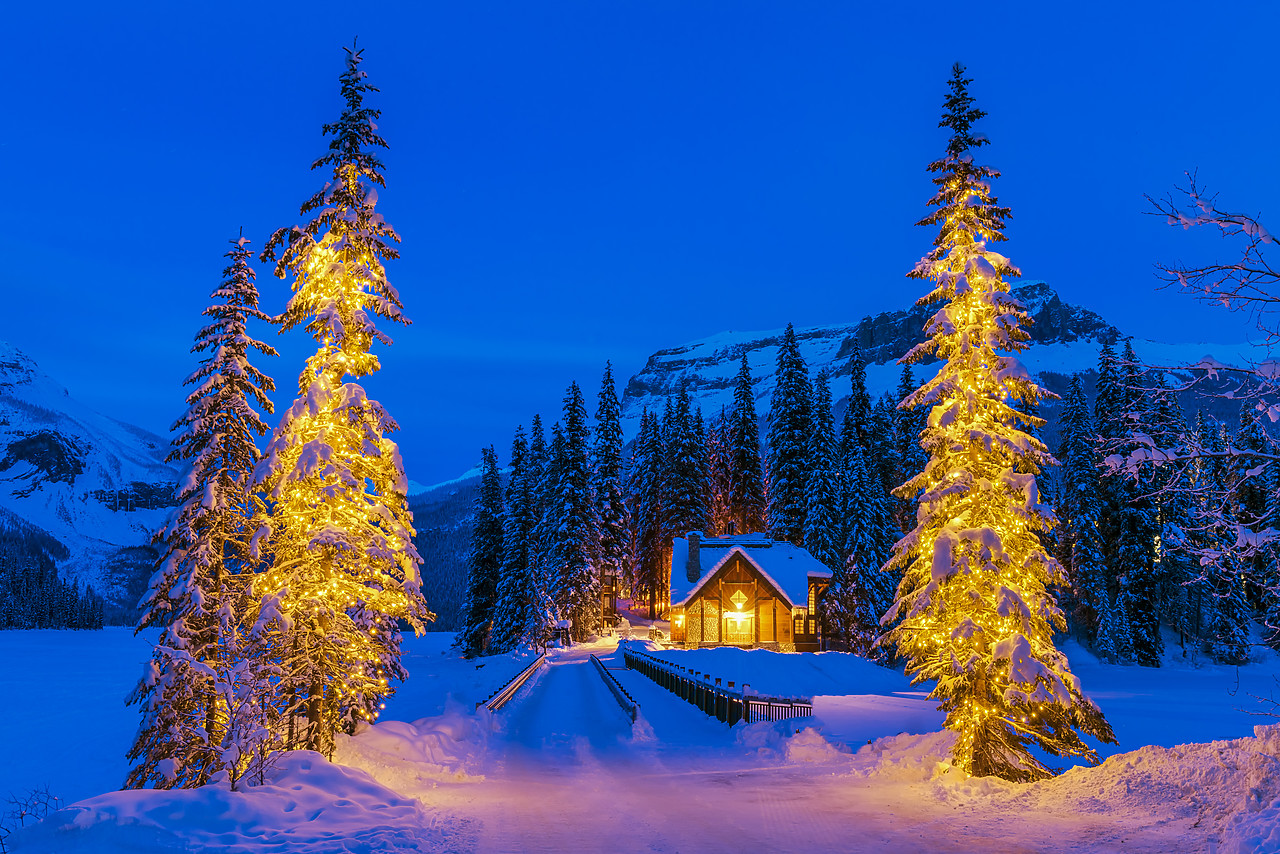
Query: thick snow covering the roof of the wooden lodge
x=788, y=568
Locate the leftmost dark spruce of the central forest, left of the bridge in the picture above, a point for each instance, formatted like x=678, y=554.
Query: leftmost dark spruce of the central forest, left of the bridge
x=484, y=561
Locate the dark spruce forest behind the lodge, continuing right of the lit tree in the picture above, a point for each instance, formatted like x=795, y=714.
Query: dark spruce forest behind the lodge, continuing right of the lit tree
x=1142, y=551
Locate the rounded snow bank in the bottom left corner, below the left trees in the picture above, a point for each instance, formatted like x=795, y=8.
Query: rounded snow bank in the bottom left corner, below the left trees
x=307, y=805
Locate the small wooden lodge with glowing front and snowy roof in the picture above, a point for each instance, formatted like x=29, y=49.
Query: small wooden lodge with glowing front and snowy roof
x=746, y=591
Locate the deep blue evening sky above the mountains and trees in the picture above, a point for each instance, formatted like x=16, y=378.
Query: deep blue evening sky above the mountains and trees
x=589, y=181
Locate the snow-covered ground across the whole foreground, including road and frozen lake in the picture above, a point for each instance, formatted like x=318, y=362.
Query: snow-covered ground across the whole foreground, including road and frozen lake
x=564, y=770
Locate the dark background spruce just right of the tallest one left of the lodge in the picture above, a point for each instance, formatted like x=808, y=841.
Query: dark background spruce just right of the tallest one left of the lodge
x=648, y=512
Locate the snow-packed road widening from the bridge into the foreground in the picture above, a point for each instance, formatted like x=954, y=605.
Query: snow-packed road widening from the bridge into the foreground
x=568, y=775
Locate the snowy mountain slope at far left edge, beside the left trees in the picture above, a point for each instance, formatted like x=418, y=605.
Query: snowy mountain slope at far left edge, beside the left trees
x=95, y=485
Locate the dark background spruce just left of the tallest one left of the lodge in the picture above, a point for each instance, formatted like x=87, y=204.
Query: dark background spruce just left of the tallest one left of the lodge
x=574, y=537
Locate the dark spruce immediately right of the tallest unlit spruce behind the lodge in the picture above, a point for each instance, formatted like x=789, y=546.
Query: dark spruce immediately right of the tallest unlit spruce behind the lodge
x=822, y=527
